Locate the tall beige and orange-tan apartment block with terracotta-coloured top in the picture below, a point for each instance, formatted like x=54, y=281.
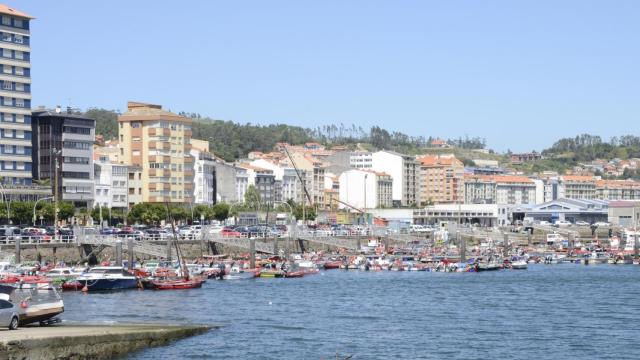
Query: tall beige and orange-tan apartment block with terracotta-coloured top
x=158, y=141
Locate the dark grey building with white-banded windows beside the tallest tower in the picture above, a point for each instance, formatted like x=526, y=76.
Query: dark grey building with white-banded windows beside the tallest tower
x=69, y=138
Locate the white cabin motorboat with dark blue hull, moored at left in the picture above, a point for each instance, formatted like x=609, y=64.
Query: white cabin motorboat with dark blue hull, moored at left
x=104, y=278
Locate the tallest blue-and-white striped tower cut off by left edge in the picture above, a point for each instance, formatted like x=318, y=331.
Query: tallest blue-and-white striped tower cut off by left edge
x=15, y=98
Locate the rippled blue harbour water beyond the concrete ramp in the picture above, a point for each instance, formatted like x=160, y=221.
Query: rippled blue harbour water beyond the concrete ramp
x=548, y=312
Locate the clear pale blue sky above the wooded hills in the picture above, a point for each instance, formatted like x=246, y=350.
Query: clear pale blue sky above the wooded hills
x=519, y=73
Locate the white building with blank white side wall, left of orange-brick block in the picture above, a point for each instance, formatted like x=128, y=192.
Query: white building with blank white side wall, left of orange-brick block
x=405, y=173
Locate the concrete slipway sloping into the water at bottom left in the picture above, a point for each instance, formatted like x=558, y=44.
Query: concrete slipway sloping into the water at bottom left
x=88, y=341
